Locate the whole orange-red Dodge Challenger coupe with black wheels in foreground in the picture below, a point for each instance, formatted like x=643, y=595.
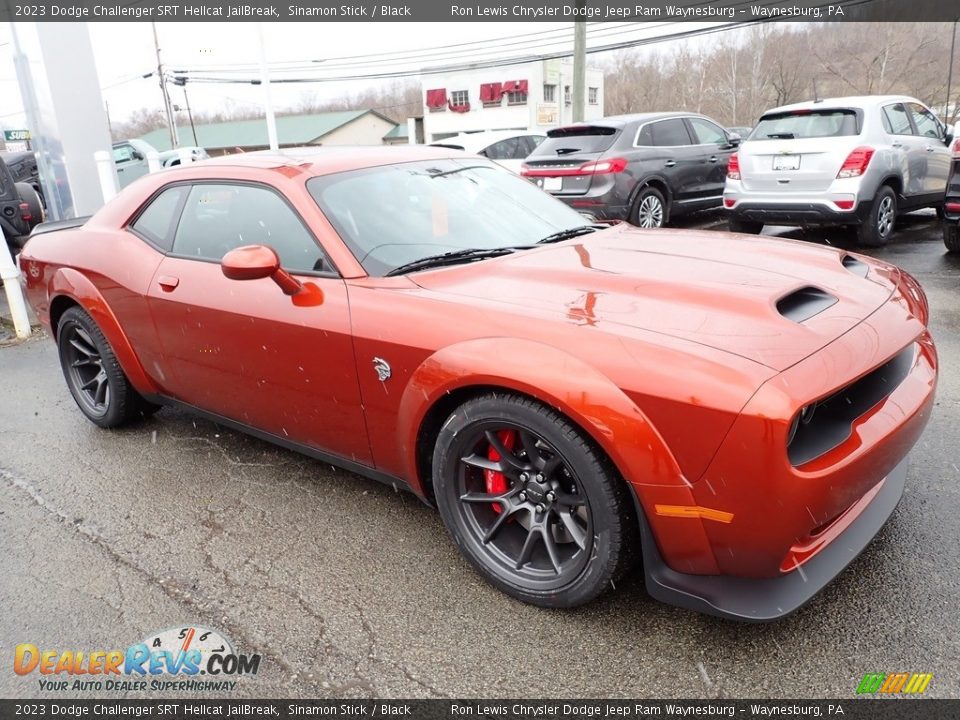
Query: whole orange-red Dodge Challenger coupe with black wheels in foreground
x=735, y=411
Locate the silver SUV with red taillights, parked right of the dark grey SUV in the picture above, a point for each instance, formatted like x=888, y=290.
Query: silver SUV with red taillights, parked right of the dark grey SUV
x=844, y=161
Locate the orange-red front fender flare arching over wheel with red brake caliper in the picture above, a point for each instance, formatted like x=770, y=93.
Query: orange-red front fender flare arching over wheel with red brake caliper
x=591, y=400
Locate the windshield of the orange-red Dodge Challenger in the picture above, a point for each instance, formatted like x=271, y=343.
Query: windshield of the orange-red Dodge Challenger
x=397, y=214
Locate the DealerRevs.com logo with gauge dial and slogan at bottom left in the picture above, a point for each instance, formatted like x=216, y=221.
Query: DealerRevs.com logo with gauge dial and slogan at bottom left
x=181, y=658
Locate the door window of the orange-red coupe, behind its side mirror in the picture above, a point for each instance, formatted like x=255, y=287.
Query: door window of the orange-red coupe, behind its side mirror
x=219, y=218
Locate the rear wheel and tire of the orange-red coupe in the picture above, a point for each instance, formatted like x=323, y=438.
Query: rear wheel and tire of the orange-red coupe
x=94, y=377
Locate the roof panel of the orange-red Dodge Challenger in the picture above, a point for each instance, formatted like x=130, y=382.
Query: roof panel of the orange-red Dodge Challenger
x=325, y=160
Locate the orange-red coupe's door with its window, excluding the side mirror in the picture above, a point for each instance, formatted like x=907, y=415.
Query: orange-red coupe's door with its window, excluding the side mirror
x=245, y=350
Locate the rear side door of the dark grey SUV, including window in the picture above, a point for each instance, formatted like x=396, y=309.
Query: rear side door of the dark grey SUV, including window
x=672, y=155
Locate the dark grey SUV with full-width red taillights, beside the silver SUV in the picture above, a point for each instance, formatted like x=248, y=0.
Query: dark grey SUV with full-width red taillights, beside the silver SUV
x=644, y=168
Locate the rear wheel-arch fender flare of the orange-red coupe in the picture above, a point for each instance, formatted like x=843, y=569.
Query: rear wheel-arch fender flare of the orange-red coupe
x=67, y=282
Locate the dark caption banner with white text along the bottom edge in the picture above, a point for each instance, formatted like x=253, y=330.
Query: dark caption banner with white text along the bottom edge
x=177, y=708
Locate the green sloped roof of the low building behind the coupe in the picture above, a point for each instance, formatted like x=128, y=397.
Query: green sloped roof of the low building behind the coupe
x=291, y=130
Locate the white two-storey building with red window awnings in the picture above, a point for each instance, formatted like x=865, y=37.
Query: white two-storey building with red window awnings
x=530, y=96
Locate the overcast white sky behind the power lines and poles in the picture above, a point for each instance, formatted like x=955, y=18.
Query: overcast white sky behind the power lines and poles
x=125, y=51
